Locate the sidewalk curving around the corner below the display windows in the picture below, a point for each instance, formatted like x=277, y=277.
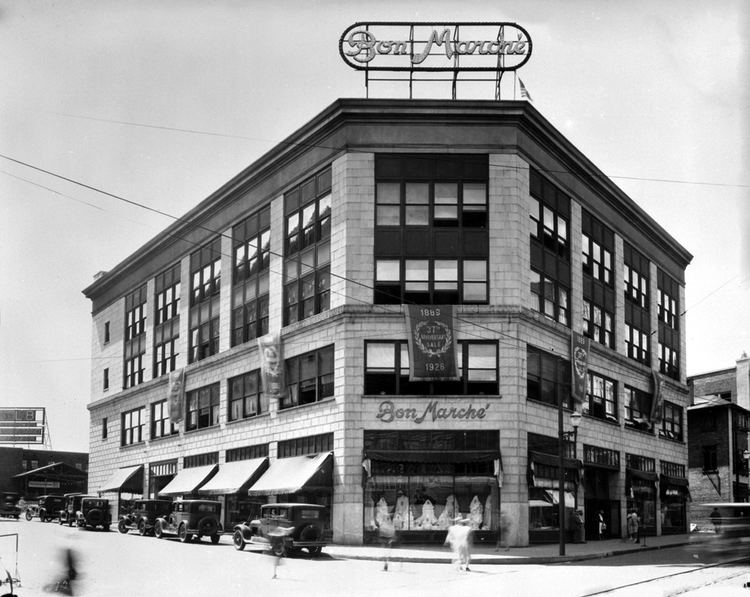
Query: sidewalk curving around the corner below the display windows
x=486, y=554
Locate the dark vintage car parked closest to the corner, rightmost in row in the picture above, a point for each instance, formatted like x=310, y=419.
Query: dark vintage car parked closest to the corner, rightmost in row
x=286, y=528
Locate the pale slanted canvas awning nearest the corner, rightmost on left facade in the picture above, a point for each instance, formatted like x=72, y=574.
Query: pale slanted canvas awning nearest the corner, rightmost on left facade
x=289, y=475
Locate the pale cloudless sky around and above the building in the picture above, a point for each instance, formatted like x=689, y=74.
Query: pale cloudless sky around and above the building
x=160, y=102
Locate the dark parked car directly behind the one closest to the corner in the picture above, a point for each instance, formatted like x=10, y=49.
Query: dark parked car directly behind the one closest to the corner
x=191, y=518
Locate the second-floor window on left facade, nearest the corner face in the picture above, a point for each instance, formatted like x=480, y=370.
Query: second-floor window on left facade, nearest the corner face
x=309, y=377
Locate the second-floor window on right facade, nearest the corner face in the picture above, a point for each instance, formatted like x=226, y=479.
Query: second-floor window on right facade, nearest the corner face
x=547, y=378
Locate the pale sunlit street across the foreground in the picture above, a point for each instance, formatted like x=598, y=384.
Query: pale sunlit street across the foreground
x=114, y=564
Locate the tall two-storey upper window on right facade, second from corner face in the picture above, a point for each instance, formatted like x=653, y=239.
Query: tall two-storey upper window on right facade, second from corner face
x=598, y=244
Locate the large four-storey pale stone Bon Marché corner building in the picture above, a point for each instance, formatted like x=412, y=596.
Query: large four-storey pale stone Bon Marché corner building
x=480, y=212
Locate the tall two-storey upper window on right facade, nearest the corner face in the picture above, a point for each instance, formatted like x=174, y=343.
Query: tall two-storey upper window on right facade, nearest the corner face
x=549, y=210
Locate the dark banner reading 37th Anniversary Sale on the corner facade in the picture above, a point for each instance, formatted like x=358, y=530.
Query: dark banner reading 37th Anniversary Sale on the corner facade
x=432, y=344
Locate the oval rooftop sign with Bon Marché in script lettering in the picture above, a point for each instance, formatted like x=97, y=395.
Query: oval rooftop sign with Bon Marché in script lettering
x=464, y=46
